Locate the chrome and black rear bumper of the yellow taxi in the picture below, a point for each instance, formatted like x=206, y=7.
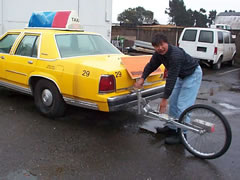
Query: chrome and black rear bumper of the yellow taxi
x=129, y=100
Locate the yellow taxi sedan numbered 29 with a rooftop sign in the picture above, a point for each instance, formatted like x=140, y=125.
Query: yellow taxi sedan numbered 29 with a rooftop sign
x=59, y=66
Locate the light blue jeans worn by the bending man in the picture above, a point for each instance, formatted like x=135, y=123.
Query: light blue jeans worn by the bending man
x=184, y=94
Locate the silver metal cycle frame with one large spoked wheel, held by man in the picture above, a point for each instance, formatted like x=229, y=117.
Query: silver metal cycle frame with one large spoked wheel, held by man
x=204, y=131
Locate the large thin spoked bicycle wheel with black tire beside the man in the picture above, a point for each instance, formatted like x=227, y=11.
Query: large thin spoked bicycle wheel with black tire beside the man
x=216, y=139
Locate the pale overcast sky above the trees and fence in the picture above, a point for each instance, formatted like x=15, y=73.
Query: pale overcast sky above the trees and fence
x=159, y=6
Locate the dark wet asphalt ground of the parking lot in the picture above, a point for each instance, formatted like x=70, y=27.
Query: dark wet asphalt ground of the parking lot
x=93, y=145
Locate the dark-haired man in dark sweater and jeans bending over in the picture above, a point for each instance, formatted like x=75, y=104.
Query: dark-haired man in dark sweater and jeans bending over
x=182, y=83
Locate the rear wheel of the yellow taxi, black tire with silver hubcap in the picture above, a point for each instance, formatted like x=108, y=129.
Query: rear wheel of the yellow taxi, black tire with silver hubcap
x=48, y=99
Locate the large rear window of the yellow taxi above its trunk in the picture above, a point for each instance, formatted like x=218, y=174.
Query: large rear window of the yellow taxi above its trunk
x=72, y=45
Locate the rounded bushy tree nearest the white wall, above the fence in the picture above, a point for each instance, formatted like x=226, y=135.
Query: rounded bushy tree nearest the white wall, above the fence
x=136, y=16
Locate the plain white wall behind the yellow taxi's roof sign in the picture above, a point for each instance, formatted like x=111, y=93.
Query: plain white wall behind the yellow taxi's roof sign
x=94, y=15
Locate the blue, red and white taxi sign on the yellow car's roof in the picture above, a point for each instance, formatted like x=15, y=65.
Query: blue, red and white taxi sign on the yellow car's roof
x=55, y=19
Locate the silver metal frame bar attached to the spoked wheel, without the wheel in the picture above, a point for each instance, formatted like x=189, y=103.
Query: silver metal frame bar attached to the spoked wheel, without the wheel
x=144, y=107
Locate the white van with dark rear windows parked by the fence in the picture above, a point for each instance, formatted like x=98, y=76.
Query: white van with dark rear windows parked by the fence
x=210, y=45
